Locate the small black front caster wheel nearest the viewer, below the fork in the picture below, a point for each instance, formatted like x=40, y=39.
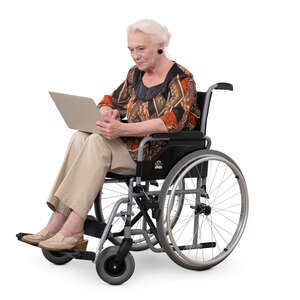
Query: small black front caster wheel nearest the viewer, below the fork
x=111, y=272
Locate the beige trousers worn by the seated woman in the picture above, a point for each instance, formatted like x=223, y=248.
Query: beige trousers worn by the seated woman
x=88, y=158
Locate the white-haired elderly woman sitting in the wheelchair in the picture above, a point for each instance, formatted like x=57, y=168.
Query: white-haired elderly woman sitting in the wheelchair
x=157, y=96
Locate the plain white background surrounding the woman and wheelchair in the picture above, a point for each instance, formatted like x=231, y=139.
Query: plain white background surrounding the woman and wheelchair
x=80, y=47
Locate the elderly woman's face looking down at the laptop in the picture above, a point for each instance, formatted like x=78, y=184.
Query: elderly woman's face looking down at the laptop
x=143, y=51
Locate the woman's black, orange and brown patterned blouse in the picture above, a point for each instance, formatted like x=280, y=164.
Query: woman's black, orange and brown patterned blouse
x=174, y=101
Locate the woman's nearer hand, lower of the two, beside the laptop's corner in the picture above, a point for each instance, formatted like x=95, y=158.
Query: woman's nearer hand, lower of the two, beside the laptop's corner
x=110, y=128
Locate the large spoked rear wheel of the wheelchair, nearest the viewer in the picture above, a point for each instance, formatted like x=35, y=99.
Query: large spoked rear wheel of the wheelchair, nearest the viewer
x=214, y=212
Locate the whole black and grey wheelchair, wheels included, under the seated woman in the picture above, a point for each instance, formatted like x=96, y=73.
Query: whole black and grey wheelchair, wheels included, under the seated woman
x=188, y=201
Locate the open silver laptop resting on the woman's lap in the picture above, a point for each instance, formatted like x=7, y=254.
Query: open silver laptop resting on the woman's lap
x=79, y=113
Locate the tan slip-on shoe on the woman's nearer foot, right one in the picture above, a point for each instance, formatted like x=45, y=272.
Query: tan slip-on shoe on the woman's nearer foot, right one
x=60, y=243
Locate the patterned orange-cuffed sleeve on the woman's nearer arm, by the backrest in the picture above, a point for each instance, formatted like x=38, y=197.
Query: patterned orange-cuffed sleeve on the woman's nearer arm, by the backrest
x=182, y=96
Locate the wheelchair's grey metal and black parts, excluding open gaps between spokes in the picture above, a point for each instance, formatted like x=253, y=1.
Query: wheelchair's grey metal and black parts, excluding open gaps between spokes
x=159, y=167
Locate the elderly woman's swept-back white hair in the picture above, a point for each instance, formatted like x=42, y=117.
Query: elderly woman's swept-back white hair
x=157, y=32
